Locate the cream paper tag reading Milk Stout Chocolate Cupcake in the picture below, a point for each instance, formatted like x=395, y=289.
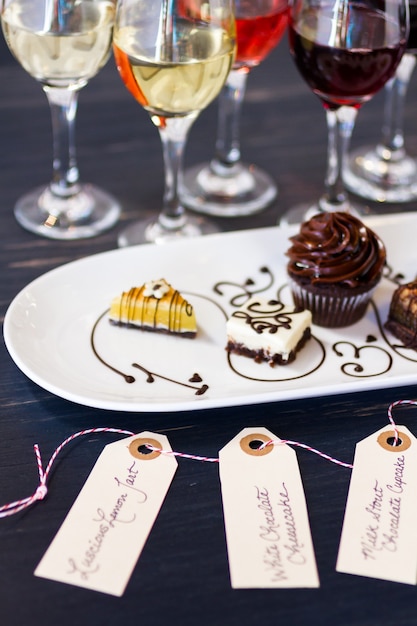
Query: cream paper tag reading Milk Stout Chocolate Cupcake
x=379, y=535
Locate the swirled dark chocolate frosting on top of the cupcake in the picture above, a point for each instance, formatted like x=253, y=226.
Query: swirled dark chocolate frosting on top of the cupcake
x=336, y=248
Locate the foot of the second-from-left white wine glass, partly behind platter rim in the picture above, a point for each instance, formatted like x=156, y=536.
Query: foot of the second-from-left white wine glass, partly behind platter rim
x=151, y=231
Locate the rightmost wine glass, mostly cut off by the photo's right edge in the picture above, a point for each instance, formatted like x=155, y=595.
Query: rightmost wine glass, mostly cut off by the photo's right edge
x=385, y=172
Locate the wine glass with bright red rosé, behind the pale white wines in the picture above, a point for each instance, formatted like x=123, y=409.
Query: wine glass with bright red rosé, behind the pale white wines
x=227, y=186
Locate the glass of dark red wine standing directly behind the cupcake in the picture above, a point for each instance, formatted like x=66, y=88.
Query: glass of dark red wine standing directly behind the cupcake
x=346, y=51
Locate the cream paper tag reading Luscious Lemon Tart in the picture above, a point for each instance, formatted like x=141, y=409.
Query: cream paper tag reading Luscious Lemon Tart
x=105, y=531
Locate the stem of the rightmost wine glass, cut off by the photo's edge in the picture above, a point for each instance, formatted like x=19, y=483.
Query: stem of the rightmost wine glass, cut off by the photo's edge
x=391, y=146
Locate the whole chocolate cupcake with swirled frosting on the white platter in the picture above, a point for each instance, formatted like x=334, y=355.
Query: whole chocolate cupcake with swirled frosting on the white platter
x=335, y=264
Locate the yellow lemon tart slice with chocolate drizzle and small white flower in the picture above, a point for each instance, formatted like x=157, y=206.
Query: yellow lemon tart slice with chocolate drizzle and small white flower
x=155, y=306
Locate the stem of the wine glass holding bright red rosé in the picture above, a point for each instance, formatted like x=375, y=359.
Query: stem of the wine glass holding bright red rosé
x=228, y=128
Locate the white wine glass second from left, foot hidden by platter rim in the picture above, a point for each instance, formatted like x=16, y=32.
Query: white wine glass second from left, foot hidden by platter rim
x=174, y=57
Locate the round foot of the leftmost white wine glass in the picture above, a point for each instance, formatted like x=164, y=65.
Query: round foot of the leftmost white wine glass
x=84, y=215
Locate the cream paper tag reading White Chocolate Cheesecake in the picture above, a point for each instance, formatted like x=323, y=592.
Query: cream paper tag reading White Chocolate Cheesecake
x=267, y=529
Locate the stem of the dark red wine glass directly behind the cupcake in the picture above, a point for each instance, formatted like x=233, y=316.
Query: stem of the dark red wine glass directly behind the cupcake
x=340, y=125
